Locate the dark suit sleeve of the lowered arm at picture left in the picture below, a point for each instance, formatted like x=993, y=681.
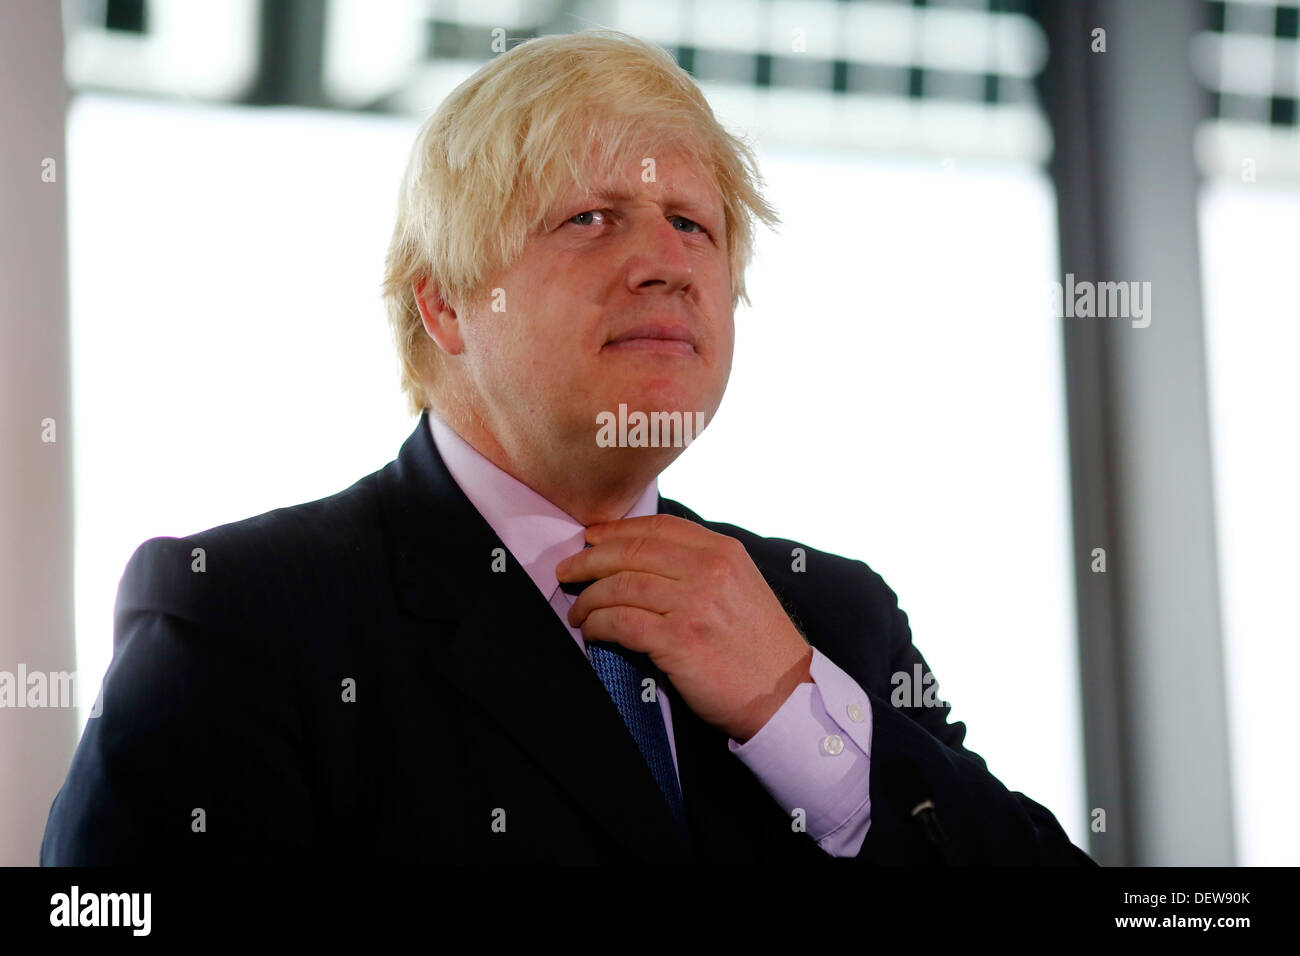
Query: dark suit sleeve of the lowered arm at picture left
x=196, y=756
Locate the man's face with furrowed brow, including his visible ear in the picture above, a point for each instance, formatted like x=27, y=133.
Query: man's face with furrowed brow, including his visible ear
x=609, y=276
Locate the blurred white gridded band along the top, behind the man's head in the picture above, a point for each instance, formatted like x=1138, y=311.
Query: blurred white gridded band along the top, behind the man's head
x=885, y=73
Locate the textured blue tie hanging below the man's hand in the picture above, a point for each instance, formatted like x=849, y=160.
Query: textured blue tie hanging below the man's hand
x=623, y=672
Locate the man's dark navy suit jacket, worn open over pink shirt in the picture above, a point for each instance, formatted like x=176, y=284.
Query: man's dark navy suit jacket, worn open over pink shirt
x=228, y=736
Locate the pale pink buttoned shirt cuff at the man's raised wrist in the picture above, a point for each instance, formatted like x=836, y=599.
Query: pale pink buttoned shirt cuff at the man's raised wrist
x=814, y=754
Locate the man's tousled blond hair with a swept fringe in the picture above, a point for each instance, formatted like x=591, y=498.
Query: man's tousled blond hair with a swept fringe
x=514, y=137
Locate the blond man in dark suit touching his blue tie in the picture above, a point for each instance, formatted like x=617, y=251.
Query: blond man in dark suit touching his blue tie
x=505, y=647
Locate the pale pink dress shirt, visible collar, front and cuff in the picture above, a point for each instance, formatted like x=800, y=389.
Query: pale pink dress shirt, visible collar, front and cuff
x=813, y=755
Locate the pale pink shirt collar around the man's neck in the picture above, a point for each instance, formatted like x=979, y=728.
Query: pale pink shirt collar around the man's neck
x=538, y=533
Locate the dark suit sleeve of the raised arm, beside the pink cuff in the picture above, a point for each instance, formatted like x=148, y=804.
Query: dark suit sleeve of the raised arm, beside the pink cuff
x=918, y=755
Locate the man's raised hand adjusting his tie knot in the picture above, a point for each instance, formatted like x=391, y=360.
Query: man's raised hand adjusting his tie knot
x=695, y=603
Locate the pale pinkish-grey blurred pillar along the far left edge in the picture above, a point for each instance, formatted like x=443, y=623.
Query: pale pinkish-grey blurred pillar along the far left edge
x=36, y=475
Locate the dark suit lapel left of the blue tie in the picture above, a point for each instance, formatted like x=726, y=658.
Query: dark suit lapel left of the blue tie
x=496, y=638
